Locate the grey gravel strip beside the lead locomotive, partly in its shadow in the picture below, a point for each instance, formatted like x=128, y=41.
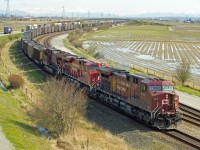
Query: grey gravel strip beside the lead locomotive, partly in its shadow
x=135, y=134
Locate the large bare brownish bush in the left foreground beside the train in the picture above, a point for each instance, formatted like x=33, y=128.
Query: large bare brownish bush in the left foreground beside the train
x=61, y=108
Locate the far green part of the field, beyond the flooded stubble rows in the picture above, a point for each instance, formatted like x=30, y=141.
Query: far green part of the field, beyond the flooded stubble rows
x=143, y=33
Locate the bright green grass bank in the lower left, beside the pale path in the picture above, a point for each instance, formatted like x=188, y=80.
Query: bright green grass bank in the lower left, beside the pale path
x=16, y=126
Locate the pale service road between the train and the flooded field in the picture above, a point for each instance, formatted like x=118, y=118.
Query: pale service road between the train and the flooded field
x=185, y=98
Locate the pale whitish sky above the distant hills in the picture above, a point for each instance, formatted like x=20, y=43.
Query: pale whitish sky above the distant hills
x=119, y=7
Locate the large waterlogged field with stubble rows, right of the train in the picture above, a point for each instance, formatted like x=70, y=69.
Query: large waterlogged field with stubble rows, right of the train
x=158, y=48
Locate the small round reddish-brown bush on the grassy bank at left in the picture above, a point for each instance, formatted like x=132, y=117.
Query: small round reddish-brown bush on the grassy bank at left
x=16, y=81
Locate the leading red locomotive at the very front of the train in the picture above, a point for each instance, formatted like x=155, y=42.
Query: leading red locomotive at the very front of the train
x=149, y=99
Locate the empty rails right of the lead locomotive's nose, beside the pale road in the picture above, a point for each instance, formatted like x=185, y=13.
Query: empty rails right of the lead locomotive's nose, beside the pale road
x=190, y=115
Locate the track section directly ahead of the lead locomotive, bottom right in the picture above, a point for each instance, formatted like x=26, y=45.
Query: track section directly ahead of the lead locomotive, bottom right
x=183, y=137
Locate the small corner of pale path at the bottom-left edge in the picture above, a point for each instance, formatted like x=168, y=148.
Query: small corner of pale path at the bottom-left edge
x=4, y=143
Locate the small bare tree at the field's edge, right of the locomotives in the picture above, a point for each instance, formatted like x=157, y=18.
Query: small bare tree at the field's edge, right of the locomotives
x=183, y=71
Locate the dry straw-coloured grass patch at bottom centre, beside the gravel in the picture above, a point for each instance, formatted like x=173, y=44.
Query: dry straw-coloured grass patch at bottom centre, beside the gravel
x=90, y=136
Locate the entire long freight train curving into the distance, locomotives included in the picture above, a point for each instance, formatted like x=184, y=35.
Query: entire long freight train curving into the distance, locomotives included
x=151, y=100
